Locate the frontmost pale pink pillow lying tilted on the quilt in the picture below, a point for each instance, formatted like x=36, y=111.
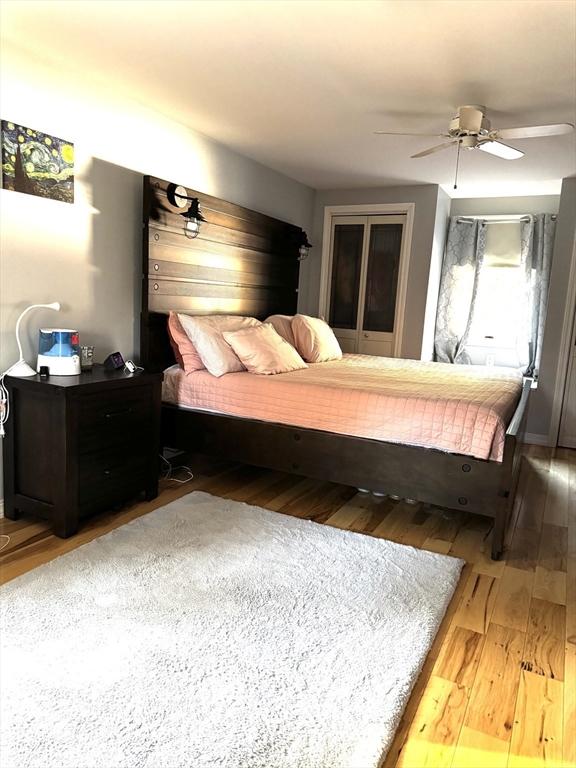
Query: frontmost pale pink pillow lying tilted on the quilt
x=264, y=351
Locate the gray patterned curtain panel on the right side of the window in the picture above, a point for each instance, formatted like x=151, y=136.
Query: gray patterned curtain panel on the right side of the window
x=537, y=243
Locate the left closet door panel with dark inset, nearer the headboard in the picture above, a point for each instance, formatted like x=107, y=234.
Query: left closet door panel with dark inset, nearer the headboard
x=348, y=236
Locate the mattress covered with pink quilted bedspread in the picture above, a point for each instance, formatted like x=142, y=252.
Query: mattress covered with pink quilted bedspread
x=456, y=408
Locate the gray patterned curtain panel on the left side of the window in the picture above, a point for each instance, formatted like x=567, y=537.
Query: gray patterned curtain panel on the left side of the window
x=458, y=288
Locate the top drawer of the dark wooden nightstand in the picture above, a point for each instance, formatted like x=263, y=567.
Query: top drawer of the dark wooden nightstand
x=114, y=419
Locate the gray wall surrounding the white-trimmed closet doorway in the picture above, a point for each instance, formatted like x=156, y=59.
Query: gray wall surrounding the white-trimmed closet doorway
x=425, y=198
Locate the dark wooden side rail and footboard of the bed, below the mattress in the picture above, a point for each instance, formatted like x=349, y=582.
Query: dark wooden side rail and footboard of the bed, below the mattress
x=431, y=476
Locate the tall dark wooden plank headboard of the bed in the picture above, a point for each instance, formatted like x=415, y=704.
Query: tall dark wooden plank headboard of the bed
x=241, y=263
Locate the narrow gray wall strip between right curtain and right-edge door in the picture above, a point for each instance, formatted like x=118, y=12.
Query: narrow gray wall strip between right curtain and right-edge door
x=541, y=400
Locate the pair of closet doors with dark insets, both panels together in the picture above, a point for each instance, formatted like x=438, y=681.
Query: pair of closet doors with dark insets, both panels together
x=365, y=268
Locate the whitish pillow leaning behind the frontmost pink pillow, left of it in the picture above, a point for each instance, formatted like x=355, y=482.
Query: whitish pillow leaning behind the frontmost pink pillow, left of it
x=206, y=335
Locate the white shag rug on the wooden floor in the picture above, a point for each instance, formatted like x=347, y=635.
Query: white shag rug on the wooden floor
x=210, y=633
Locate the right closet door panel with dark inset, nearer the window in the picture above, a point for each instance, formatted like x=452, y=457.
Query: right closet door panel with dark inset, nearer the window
x=379, y=286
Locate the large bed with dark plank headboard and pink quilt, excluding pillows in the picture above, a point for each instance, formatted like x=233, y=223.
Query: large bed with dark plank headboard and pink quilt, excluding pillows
x=246, y=263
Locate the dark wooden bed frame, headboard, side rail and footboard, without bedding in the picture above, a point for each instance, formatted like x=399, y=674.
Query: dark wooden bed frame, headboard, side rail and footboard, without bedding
x=247, y=263
